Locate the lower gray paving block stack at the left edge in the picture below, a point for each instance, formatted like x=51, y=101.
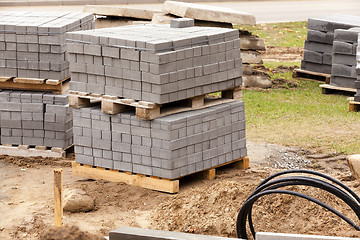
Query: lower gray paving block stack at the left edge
x=35, y=119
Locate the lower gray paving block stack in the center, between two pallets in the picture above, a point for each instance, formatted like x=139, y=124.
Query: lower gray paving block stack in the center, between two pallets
x=168, y=147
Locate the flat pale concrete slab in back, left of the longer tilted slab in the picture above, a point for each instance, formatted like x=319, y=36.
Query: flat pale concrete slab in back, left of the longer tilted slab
x=120, y=11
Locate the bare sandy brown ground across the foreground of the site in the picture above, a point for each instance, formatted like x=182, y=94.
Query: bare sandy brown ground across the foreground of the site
x=202, y=206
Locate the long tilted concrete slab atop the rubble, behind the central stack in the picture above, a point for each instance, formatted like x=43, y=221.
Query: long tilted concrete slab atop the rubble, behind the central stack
x=208, y=13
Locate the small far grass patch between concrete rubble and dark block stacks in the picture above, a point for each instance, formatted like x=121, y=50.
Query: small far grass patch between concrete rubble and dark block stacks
x=290, y=34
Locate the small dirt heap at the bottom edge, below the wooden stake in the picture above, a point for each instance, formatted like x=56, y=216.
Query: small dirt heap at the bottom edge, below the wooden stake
x=68, y=233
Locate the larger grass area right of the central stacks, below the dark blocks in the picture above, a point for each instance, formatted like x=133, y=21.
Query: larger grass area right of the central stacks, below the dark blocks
x=302, y=117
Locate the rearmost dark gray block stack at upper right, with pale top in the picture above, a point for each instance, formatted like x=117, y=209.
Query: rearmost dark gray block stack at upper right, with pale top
x=319, y=44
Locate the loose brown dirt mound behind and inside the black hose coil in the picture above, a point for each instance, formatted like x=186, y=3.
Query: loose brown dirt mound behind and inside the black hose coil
x=213, y=211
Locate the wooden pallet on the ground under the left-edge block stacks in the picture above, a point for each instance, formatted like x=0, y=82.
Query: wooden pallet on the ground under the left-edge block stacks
x=33, y=151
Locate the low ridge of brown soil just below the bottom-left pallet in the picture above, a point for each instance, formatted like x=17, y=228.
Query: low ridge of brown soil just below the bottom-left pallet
x=30, y=162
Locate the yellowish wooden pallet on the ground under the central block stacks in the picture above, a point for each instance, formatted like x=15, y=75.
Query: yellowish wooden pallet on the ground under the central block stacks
x=149, y=182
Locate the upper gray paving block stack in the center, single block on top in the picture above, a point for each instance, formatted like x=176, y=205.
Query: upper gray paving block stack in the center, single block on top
x=155, y=63
